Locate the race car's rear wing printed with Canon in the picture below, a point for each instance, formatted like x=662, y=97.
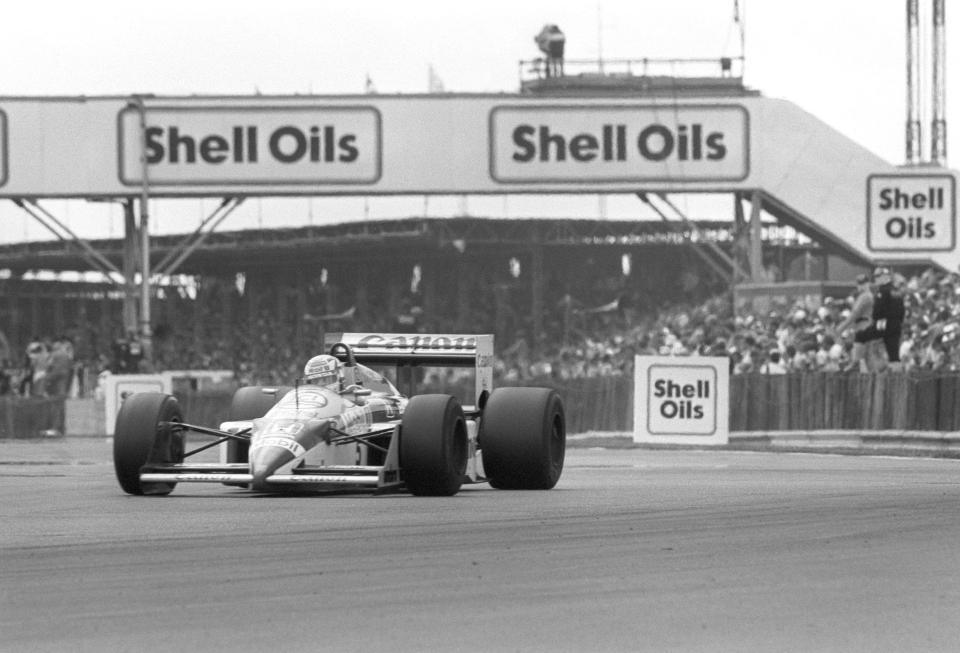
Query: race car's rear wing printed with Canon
x=408, y=350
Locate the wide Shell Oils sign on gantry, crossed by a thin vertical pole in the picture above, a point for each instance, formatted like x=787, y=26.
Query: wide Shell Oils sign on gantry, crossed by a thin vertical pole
x=273, y=146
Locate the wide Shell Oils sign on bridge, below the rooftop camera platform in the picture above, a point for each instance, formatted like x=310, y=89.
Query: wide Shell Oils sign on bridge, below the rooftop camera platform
x=615, y=143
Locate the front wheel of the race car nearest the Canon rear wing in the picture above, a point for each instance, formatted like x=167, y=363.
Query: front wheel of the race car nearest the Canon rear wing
x=433, y=445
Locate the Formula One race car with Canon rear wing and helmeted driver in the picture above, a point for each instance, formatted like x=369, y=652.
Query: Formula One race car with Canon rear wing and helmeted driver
x=347, y=427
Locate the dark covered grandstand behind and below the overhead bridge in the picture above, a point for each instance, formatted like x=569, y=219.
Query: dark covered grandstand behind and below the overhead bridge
x=465, y=281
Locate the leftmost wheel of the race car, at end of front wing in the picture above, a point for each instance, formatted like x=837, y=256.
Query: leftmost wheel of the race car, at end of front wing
x=145, y=433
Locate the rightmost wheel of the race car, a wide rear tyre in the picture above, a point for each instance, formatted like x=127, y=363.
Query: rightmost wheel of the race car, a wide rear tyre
x=523, y=438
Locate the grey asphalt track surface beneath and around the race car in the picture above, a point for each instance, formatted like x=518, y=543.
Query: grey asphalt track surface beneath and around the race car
x=635, y=550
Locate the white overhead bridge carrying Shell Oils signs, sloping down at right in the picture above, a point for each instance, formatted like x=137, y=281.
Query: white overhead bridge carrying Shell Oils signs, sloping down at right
x=91, y=148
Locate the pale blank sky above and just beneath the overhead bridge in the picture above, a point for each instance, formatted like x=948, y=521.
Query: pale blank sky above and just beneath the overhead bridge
x=844, y=61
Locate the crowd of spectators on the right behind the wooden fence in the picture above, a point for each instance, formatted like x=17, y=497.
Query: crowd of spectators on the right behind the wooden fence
x=798, y=336
